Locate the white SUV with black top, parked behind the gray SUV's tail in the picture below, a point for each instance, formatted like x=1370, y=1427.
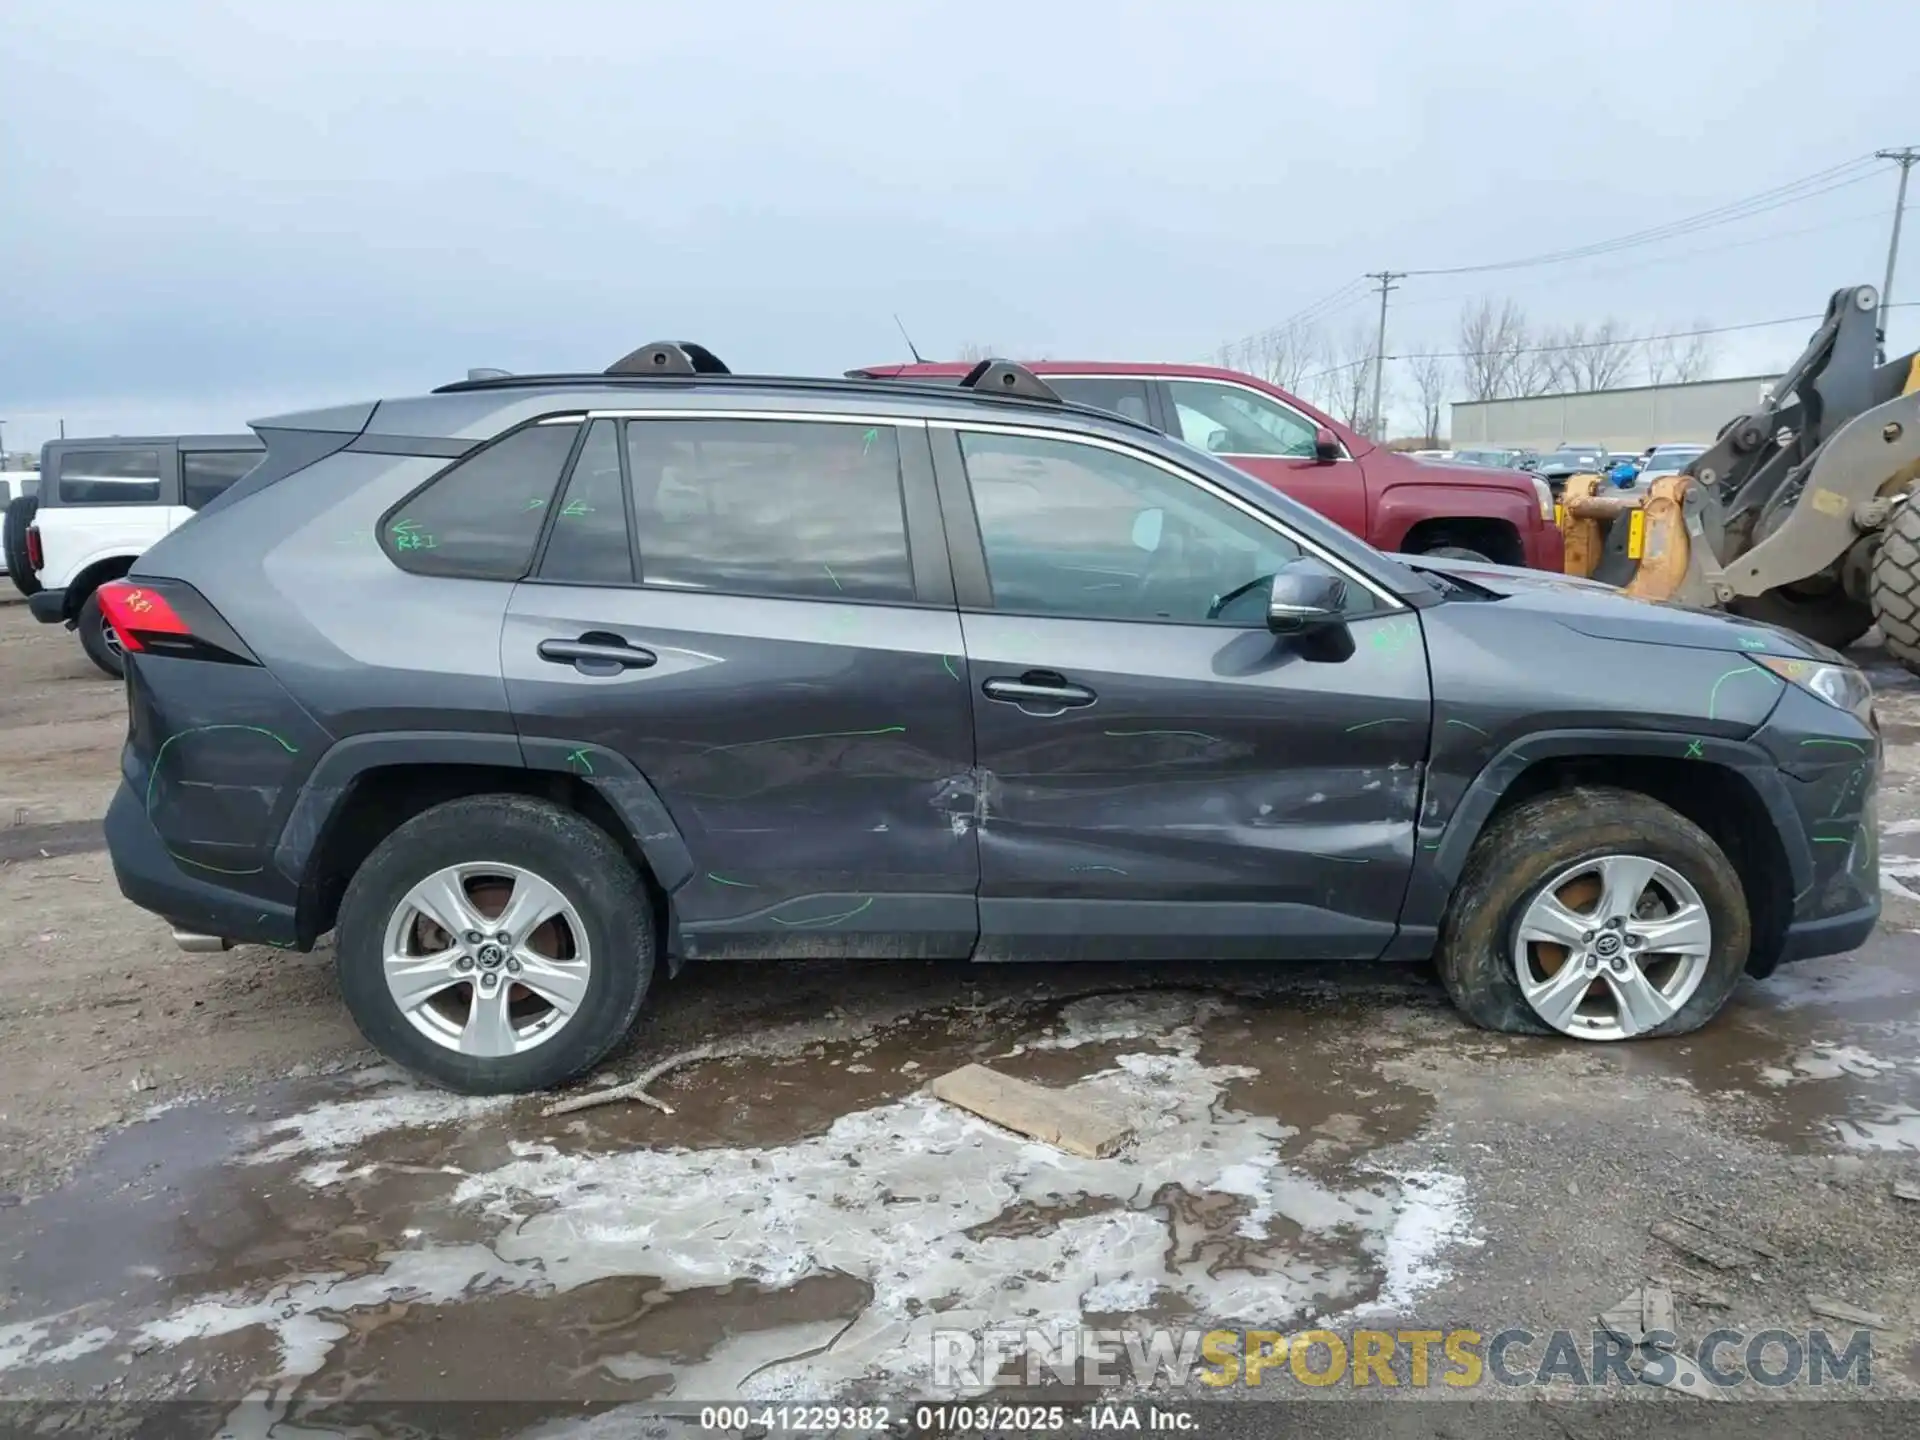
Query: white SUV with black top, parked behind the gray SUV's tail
x=103, y=502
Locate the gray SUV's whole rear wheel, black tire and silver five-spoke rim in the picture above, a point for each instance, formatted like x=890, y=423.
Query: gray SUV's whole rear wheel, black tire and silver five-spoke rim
x=468, y=1005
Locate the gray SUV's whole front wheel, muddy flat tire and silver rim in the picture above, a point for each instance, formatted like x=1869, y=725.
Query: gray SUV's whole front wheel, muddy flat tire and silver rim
x=1524, y=861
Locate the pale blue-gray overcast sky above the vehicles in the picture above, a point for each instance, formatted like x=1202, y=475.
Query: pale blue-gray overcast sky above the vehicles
x=210, y=212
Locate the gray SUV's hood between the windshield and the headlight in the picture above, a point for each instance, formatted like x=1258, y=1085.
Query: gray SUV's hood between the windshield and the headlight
x=1591, y=608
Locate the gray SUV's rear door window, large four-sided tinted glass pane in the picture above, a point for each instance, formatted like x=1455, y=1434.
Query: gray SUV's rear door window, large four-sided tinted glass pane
x=805, y=510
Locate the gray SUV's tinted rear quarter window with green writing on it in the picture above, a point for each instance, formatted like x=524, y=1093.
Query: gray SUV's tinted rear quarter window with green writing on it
x=481, y=517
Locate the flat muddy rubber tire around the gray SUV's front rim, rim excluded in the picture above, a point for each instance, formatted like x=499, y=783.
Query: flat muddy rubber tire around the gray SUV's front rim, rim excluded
x=1543, y=838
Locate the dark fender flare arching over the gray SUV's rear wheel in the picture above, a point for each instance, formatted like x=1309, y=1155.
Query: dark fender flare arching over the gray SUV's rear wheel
x=610, y=773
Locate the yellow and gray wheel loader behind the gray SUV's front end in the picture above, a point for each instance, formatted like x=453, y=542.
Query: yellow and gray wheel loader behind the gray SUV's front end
x=1798, y=514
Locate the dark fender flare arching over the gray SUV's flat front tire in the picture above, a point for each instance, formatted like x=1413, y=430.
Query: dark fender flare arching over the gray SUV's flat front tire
x=1441, y=855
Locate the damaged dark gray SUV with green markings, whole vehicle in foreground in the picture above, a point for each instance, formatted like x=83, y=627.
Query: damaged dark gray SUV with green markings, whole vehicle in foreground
x=539, y=686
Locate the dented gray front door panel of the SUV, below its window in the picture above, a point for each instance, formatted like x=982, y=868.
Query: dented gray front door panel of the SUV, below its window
x=1224, y=796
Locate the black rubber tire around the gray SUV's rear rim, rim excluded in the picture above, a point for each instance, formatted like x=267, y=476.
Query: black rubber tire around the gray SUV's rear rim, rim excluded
x=575, y=857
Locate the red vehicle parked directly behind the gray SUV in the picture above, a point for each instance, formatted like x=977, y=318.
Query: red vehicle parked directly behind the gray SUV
x=1389, y=500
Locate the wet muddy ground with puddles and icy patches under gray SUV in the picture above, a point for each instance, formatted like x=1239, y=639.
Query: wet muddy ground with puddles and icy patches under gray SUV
x=210, y=1189
